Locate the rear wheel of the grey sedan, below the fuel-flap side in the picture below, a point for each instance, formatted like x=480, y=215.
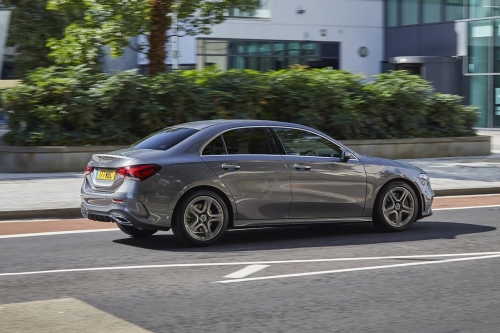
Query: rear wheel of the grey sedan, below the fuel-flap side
x=201, y=219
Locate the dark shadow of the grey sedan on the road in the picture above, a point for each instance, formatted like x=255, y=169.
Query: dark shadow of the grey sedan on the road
x=311, y=236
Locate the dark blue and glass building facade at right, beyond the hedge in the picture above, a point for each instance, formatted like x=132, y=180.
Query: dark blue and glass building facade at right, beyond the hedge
x=462, y=40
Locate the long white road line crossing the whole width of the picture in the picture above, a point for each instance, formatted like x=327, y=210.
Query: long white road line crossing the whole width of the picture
x=71, y=270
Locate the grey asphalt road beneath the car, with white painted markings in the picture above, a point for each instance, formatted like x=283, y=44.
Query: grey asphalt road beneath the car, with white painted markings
x=440, y=276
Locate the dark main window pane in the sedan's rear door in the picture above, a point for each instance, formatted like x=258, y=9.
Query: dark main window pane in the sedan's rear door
x=247, y=141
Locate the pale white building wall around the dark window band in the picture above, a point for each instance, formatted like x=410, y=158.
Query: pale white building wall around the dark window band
x=353, y=23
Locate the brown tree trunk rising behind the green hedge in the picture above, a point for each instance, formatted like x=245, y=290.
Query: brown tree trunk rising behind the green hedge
x=160, y=23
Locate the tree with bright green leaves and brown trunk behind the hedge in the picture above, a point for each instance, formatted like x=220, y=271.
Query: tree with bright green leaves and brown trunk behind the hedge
x=112, y=22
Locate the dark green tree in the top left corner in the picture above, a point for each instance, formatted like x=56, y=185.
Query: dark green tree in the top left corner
x=31, y=25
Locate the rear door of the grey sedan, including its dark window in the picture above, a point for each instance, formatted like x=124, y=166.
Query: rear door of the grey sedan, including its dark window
x=248, y=163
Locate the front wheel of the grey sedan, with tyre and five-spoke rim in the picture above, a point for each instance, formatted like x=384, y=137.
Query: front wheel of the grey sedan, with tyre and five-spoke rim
x=396, y=207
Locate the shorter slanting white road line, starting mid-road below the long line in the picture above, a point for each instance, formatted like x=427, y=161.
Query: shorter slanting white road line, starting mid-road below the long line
x=357, y=269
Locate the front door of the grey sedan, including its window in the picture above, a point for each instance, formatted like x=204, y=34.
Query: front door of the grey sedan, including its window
x=323, y=186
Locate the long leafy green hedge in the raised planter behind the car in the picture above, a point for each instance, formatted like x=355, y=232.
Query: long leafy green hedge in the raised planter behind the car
x=74, y=106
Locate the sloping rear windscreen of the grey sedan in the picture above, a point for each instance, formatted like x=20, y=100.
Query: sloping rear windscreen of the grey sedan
x=164, y=139
